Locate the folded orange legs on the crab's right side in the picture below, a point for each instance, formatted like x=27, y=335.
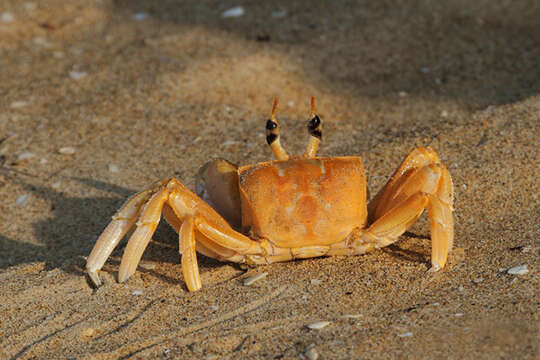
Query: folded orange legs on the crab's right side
x=420, y=181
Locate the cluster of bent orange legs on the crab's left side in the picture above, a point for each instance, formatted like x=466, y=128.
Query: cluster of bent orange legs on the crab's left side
x=199, y=226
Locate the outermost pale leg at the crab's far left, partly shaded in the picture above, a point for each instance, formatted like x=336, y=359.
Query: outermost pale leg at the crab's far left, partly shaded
x=123, y=221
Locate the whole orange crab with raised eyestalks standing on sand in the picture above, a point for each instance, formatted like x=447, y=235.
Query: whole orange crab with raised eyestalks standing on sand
x=295, y=207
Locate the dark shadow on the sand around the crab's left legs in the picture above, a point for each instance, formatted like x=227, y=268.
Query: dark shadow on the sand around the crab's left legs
x=70, y=234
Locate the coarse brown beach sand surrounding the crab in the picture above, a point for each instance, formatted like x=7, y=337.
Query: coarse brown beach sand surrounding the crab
x=100, y=98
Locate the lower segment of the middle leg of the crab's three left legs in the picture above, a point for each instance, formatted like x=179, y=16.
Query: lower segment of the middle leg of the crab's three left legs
x=138, y=242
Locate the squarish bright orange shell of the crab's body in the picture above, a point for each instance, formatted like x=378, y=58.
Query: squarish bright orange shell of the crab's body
x=302, y=202
